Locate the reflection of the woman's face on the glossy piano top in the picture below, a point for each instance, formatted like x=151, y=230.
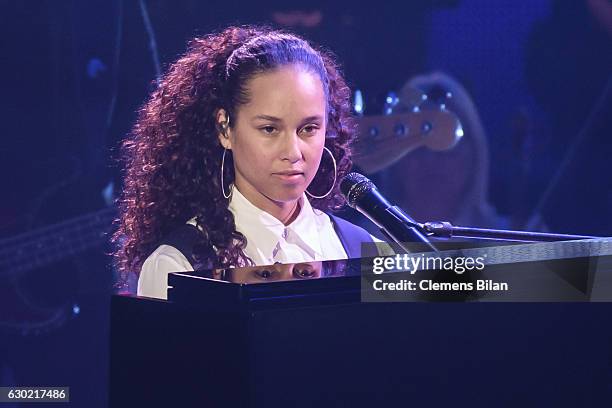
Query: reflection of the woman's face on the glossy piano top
x=272, y=273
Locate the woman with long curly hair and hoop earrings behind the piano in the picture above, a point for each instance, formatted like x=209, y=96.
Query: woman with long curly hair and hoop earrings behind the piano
x=234, y=160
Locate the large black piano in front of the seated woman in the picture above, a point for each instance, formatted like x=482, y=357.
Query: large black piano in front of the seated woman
x=317, y=335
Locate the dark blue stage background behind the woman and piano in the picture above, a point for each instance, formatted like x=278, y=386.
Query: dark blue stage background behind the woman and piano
x=75, y=72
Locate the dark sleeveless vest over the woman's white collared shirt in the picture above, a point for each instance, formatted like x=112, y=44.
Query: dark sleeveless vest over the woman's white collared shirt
x=351, y=236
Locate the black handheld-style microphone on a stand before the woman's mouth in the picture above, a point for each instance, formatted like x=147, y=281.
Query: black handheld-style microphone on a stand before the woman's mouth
x=394, y=223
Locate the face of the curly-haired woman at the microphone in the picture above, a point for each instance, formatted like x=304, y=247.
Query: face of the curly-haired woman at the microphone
x=277, y=138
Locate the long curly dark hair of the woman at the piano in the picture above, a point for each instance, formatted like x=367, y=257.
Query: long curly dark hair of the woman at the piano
x=172, y=156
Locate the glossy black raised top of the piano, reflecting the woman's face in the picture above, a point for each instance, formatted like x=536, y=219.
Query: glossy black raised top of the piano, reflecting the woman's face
x=560, y=271
